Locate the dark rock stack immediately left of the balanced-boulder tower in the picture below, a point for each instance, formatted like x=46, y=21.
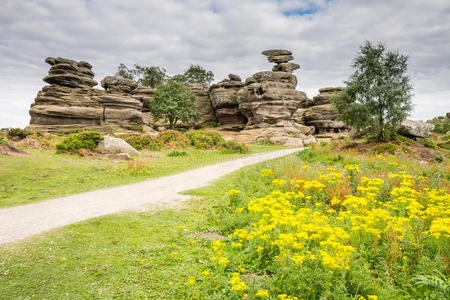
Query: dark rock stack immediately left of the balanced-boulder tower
x=223, y=97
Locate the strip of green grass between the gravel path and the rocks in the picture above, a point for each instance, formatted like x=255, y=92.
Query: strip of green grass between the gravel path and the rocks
x=45, y=175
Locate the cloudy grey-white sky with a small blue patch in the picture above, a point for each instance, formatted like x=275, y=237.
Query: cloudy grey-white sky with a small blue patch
x=225, y=36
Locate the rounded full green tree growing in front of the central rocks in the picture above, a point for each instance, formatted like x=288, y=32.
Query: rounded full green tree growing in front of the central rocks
x=174, y=102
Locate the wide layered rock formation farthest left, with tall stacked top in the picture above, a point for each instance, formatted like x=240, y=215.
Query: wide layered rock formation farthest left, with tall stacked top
x=71, y=102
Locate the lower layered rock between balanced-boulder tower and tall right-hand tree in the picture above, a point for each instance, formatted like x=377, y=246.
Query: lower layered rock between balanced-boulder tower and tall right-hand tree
x=321, y=113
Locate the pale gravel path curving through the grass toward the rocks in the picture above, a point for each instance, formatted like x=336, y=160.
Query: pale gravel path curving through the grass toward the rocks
x=23, y=221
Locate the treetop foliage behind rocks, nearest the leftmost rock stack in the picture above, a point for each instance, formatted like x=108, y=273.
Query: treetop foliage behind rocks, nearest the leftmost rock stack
x=151, y=76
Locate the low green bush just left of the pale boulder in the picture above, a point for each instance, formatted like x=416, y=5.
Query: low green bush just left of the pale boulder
x=84, y=140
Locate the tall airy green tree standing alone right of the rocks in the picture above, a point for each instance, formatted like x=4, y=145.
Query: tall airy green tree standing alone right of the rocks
x=378, y=93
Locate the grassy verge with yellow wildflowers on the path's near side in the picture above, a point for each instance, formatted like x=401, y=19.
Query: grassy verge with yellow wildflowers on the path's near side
x=348, y=253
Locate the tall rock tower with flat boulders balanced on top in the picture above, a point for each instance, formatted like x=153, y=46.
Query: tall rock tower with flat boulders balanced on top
x=269, y=100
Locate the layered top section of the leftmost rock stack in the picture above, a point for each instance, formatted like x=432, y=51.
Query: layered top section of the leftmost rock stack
x=67, y=72
